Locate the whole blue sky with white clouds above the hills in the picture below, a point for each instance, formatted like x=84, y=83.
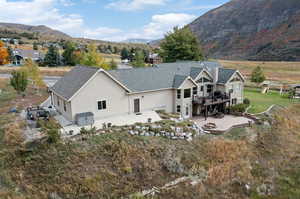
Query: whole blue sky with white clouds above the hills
x=110, y=20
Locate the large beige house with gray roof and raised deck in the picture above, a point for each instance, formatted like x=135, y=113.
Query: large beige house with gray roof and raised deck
x=187, y=88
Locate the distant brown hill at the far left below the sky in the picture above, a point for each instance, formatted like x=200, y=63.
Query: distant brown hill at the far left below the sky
x=41, y=32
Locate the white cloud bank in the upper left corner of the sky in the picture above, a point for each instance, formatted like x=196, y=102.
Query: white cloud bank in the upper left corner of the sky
x=40, y=12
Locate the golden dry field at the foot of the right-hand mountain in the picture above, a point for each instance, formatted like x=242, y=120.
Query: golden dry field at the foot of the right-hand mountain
x=277, y=71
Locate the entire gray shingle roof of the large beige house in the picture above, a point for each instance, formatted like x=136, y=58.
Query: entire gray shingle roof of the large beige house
x=162, y=76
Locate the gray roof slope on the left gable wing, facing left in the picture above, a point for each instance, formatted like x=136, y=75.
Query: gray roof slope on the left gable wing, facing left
x=73, y=81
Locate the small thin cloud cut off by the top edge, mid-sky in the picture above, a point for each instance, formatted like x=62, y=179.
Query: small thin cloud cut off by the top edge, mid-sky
x=130, y=5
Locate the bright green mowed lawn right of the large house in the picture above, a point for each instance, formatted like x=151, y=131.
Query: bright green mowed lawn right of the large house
x=261, y=102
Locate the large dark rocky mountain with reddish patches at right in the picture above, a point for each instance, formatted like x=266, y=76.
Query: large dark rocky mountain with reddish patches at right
x=251, y=30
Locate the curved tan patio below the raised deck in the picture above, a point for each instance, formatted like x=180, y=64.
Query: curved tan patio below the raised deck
x=223, y=124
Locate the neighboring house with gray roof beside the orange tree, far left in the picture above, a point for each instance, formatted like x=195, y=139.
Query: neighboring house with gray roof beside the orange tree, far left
x=20, y=55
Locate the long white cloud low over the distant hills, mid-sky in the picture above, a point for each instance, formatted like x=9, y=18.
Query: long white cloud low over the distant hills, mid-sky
x=155, y=29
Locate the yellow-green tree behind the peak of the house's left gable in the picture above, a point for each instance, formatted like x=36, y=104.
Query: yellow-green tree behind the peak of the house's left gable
x=93, y=58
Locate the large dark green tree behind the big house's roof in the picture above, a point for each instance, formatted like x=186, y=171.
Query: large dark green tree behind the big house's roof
x=181, y=44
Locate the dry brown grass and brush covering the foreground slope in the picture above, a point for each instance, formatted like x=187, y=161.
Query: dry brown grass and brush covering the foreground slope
x=263, y=158
